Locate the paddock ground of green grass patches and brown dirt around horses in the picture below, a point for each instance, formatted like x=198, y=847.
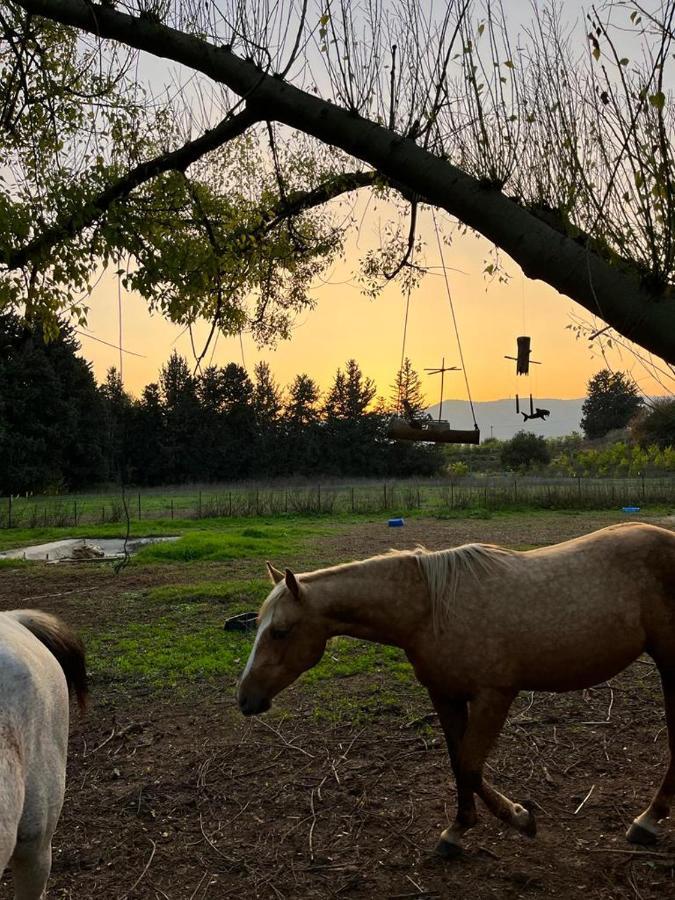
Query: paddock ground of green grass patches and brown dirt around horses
x=341, y=789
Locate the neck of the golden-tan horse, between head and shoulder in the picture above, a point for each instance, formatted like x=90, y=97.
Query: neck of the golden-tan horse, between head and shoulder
x=383, y=599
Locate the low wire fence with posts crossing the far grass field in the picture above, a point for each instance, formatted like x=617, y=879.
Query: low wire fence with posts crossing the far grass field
x=435, y=497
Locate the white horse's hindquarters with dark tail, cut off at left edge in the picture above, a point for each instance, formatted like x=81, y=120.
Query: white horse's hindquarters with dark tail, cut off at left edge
x=41, y=660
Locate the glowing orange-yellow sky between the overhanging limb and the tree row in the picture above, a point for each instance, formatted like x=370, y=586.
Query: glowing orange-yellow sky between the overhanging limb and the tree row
x=347, y=324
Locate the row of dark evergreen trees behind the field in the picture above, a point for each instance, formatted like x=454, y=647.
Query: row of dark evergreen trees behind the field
x=60, y=430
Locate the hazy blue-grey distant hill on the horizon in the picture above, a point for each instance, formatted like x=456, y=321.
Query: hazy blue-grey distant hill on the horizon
x=501, y=415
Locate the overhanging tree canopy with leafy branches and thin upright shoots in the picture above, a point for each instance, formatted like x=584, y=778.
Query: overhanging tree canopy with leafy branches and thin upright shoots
x=560, y=153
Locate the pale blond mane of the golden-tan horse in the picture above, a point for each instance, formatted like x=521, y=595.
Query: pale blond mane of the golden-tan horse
x=443, y=570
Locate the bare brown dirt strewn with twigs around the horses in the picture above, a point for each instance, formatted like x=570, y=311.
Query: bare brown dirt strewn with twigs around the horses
x=180, y=797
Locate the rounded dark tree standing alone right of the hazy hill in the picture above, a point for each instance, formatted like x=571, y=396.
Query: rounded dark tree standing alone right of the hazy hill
x=612, y=401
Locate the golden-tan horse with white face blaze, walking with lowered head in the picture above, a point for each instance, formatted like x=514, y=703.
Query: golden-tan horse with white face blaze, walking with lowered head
x=480, y=623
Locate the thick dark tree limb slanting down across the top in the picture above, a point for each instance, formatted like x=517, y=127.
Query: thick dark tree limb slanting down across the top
x=610, y=291
